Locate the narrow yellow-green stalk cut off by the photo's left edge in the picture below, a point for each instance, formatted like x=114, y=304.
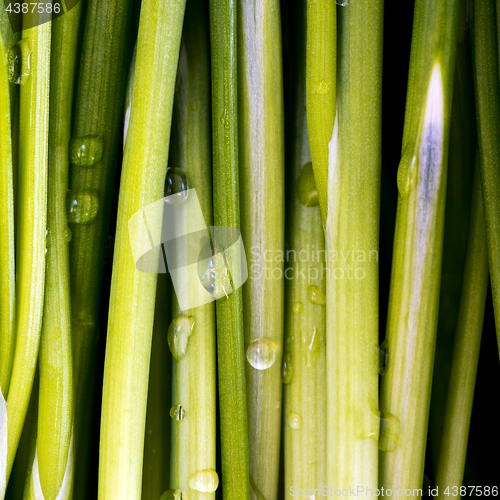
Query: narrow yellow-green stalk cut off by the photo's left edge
x=7, y=255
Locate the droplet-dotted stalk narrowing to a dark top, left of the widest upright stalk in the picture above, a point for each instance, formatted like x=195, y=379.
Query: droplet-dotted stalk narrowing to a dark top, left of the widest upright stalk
x=304, y=359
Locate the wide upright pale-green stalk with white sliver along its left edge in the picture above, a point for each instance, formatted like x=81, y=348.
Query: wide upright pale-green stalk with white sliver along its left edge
x=352, y=241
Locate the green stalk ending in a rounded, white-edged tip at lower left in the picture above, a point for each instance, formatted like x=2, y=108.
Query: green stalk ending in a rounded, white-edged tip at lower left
x=54, y=458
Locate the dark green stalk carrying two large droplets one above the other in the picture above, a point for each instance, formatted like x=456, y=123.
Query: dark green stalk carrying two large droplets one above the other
x=96, y=135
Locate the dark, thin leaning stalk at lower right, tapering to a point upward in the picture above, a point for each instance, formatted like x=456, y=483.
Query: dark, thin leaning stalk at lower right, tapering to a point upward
x=453, y=449
